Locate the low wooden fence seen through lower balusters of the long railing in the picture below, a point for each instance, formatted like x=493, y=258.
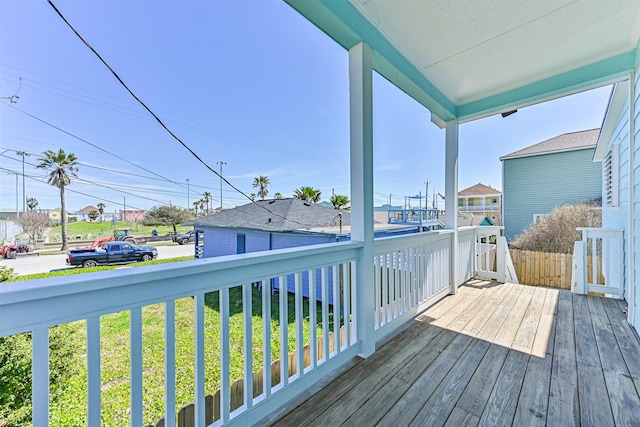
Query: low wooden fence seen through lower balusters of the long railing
x=186, y=415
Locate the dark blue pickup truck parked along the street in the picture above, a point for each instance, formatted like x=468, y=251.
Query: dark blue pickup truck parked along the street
x=111, y=253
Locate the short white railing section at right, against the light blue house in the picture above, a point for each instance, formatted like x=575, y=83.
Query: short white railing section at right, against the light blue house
x=598, y=262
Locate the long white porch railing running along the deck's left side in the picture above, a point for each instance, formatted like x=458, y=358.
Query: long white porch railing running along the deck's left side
x=411, y=273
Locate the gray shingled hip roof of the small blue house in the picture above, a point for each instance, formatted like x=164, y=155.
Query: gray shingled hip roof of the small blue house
x=298, y=215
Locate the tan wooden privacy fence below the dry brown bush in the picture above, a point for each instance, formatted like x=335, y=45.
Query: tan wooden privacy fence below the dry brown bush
x=547, y=269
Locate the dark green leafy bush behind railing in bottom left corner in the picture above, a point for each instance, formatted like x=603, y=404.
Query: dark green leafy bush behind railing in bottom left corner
x=15, y=371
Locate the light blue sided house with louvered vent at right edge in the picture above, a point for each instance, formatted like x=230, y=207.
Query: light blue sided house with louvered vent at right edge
x=620, y=183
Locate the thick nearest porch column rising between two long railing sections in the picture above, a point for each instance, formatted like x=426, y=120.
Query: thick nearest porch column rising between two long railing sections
x=361, y=134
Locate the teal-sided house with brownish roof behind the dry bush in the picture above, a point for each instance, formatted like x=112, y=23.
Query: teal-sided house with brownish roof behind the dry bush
x=554, y=172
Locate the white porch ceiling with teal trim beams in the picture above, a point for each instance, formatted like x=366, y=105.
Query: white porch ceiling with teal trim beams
x=468, y=59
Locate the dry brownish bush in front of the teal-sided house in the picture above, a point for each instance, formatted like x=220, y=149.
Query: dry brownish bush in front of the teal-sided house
x=557, y=232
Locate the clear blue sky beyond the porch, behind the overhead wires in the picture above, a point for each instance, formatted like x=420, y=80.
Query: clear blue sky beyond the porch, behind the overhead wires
x=250, y=83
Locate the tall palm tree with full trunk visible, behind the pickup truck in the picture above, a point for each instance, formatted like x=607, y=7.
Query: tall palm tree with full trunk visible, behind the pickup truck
x=62, y=167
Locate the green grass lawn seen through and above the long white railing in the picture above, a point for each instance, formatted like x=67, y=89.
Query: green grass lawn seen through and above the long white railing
x=70, y=407
